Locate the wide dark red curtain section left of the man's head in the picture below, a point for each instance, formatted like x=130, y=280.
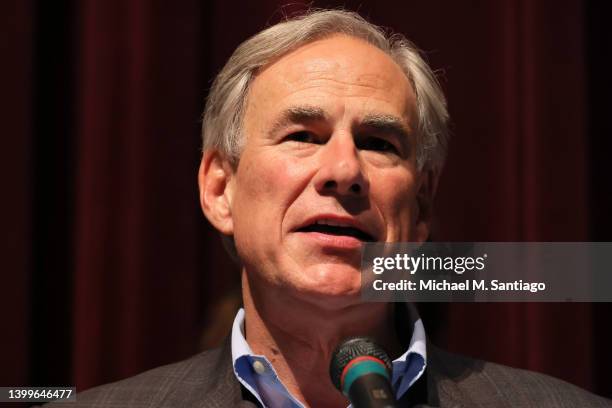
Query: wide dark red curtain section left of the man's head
x=136, y=270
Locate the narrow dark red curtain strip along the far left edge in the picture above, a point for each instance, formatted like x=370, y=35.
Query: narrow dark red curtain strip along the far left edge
x=15, y=172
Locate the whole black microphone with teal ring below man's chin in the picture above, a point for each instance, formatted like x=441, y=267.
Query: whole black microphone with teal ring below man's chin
x=361, y=370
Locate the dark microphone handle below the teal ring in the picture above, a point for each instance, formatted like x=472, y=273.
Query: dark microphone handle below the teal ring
x=372, y=391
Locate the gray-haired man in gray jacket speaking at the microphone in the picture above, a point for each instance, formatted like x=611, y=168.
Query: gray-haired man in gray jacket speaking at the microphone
x=321, y=133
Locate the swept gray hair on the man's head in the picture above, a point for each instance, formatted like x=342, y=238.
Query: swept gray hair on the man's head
x=226, y=104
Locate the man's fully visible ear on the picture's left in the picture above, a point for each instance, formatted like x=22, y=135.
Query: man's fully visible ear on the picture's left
x=215, y=179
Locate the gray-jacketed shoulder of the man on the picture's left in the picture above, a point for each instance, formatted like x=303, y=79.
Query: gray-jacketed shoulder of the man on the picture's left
x=203, y=380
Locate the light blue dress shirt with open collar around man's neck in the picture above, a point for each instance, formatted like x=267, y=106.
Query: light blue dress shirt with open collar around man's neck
x=258, y=376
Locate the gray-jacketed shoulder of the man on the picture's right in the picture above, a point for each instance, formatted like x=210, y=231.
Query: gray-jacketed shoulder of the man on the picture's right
x=486, y=384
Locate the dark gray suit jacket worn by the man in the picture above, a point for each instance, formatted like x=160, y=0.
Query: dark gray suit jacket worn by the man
x=207, y=380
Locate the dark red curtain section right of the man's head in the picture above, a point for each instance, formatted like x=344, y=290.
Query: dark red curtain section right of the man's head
x=524, y=132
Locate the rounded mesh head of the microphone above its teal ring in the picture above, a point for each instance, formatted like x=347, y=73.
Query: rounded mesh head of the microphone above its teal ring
x=352, y=350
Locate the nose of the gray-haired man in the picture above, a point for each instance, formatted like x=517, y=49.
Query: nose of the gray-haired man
x=340, y=169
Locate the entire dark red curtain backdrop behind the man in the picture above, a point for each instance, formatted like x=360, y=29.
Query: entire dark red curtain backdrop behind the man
x=111, y=267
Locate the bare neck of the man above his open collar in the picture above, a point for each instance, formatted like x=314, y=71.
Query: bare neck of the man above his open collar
x=298, y=337
